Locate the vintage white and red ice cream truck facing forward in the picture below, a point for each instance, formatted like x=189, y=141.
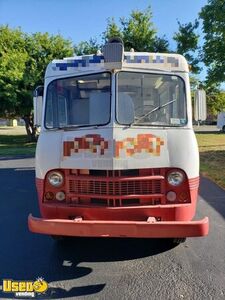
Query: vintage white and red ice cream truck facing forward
x=117, y=155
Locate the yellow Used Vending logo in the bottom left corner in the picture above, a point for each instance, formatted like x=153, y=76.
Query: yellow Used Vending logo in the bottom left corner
x=25, y=288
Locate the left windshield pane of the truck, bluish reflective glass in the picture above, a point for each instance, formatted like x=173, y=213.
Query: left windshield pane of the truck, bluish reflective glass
x=78, y=101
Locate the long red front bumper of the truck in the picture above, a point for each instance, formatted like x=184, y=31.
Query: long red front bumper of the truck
x=136, y=229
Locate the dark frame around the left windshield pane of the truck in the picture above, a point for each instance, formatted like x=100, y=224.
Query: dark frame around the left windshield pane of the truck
x=74, y=126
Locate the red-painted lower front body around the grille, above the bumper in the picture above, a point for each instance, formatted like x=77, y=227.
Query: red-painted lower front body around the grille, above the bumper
x=115, y=207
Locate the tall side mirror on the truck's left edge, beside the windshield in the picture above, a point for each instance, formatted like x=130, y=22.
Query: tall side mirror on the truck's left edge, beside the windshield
x=38, y=102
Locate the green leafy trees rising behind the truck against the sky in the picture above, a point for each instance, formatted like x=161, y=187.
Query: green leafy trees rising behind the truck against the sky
x=24, y=57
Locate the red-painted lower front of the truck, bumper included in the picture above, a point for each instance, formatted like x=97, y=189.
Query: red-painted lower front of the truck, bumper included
x=171, y=220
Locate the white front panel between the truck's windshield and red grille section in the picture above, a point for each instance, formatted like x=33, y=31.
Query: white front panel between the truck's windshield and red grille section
x=118, y=149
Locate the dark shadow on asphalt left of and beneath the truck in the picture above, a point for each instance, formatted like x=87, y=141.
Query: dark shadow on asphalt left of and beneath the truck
x=27, y=256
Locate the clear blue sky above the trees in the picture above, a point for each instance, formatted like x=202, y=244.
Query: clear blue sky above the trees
x=80, y=20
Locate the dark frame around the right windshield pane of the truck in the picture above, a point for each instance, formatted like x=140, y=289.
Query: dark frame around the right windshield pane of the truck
x=151, y=124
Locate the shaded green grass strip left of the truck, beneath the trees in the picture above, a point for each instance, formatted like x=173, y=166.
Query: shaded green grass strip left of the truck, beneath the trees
x=14, y=143
